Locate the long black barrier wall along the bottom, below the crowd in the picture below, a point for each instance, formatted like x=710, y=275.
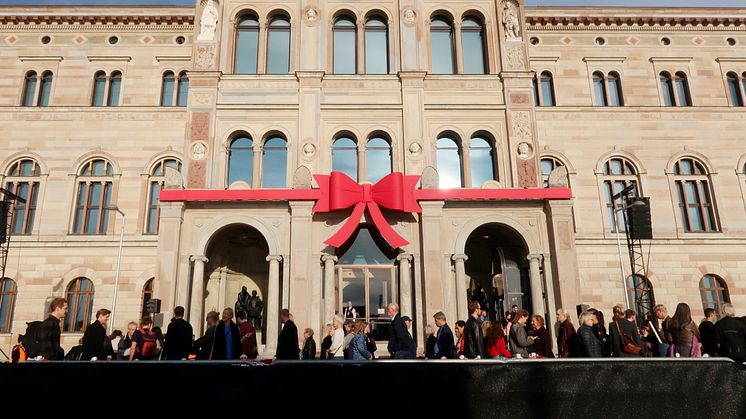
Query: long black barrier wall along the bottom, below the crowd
x=424, y=389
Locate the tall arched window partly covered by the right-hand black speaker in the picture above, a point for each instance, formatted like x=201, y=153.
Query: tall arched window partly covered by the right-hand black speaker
x=618, y=173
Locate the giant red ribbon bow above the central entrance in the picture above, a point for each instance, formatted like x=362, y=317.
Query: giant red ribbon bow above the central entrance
x=395, y=192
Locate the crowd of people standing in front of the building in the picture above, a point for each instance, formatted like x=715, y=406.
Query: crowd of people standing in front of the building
x=518, y=335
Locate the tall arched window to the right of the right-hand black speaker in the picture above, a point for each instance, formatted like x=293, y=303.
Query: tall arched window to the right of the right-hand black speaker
x=695, y=196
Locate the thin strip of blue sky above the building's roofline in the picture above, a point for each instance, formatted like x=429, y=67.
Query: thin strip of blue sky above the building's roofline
x=711, y=3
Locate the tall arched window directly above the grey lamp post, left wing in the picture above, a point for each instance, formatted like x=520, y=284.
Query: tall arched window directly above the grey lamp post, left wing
x=94, y=197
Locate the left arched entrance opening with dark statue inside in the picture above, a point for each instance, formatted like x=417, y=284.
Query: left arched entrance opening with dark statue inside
x=237, y=258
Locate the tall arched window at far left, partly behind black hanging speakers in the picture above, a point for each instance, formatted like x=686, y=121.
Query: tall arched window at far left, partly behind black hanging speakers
x=23, y=179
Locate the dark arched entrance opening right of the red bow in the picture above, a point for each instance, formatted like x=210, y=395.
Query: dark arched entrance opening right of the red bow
x=497, y=269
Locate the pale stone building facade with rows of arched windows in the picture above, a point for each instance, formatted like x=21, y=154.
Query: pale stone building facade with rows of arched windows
x=519, y=121
